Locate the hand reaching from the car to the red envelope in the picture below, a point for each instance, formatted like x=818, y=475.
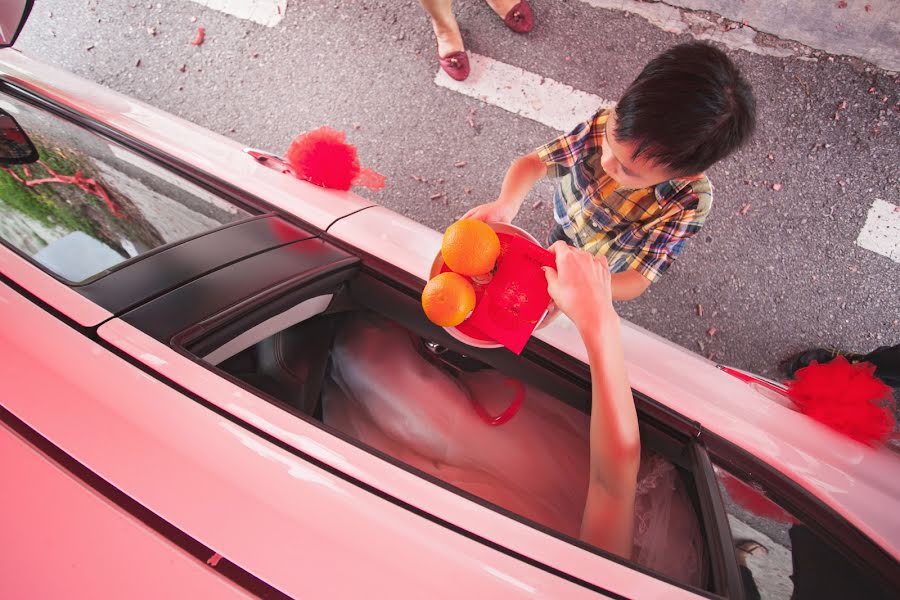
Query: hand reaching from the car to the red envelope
x=580, y=286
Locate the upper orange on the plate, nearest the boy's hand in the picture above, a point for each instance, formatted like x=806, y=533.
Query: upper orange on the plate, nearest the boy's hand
x=470, y=247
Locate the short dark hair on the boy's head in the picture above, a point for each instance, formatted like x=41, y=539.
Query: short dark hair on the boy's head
x=689, y=108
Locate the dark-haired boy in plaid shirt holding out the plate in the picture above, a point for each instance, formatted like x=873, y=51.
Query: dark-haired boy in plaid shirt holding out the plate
x=631, y=183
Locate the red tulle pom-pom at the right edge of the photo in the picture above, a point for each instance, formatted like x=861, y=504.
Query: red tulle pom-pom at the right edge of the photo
x=846, y=397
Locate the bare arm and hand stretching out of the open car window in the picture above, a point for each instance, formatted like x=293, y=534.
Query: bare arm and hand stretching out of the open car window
x=581, y=287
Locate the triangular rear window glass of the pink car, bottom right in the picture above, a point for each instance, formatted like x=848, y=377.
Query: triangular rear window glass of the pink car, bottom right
x=780, y=556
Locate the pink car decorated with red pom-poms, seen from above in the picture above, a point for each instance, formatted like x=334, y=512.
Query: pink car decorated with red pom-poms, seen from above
x=168, y=304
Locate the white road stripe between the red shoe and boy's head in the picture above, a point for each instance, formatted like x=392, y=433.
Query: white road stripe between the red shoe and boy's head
x=527, y=94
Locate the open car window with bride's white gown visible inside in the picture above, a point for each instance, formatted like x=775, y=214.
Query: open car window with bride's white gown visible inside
x=426, y=407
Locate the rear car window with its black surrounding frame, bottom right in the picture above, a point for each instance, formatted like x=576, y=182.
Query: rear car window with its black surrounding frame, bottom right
x=787, y=543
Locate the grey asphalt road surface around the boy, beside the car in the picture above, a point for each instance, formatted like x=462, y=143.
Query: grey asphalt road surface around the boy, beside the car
x=775, y=271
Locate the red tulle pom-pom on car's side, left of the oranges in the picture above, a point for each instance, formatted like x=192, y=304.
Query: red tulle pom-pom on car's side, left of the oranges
x=323, y=158
